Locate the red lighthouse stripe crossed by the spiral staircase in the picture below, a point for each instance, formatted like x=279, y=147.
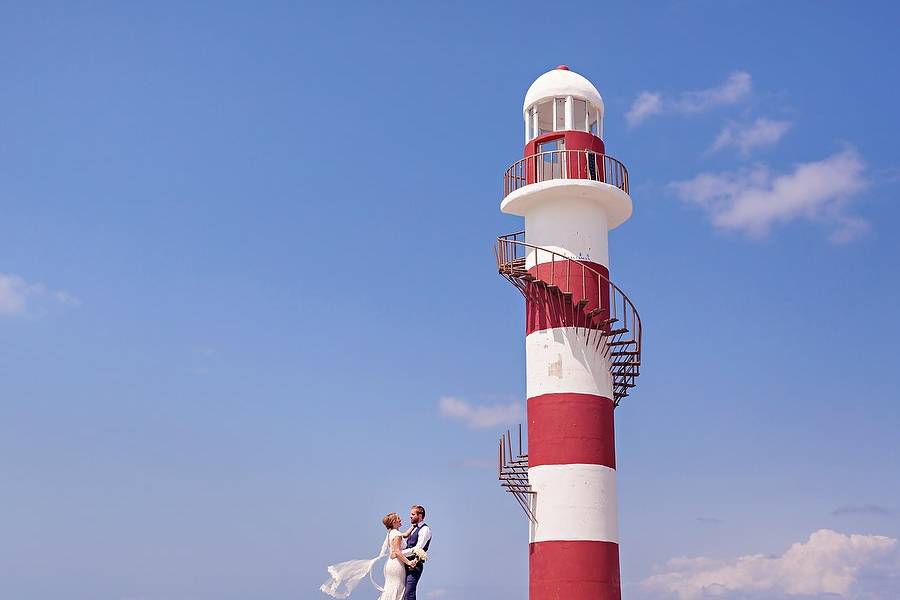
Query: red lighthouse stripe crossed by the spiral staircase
x=546, y=308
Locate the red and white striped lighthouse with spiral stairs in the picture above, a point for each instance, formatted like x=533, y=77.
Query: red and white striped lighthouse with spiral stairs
x=582, y=339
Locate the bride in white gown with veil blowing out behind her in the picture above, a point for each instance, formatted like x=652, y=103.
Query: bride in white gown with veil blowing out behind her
x=346, y=575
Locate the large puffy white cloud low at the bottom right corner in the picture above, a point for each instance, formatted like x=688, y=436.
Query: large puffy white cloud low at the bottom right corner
x=827, y=563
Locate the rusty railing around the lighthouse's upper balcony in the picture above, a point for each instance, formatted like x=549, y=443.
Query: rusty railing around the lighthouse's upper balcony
x=565, y=164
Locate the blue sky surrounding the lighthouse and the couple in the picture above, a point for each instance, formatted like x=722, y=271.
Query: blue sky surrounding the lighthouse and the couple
x=245, y=251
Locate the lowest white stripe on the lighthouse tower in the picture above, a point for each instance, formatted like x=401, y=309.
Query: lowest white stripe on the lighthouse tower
x=574, y=503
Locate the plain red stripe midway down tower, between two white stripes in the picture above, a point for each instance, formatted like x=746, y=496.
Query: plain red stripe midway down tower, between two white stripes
x=571, y=429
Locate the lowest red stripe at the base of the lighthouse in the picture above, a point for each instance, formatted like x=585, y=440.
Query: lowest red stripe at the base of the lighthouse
x=574, y=571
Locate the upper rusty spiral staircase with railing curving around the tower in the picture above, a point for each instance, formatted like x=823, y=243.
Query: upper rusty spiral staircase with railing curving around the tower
x=582, y=296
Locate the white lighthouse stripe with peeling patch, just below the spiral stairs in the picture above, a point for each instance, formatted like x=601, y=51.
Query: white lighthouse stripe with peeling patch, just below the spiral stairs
x=559, y=360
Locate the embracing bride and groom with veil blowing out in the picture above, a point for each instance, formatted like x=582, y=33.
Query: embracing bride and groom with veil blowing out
x=406, y=553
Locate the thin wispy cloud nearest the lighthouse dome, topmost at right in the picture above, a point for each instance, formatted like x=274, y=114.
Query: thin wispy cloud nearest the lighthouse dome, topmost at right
x=738, y=86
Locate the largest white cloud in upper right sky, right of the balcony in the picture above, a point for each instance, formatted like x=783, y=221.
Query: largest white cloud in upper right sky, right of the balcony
x=752, y=200
